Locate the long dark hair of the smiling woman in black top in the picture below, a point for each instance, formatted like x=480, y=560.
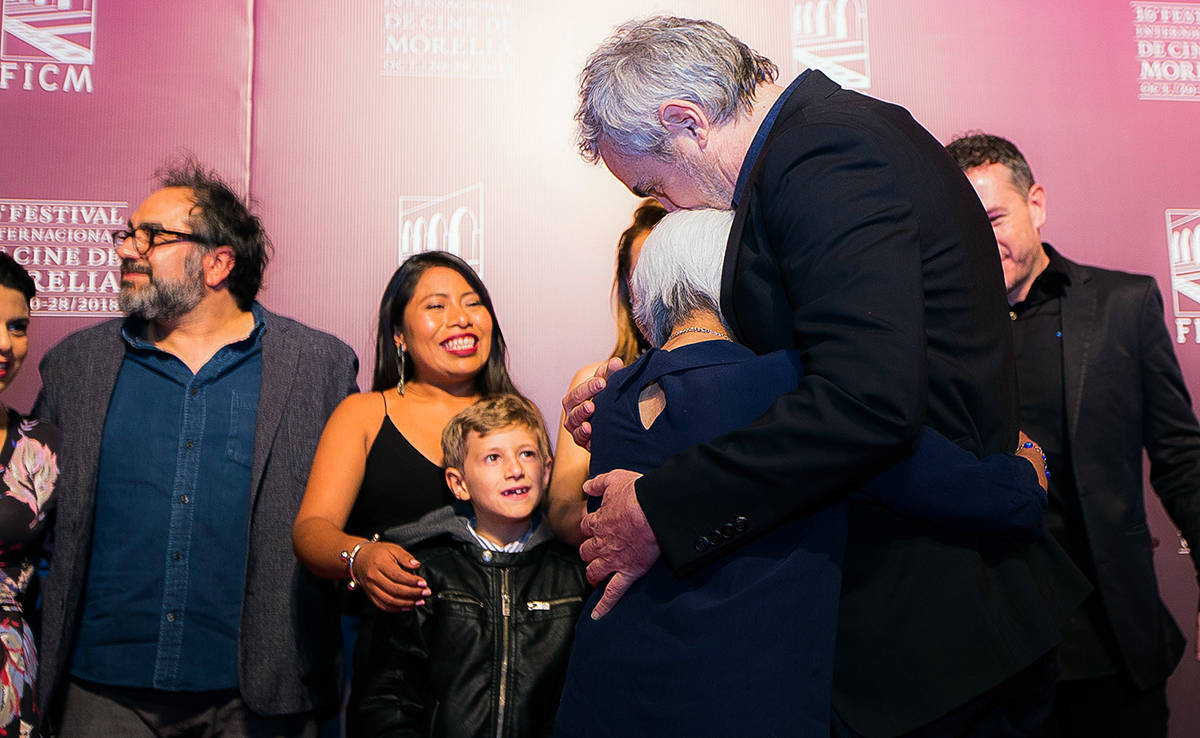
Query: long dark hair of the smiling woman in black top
x=493, y=380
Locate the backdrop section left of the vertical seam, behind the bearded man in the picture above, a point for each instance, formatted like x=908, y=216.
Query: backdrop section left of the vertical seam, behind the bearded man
x=95, y=97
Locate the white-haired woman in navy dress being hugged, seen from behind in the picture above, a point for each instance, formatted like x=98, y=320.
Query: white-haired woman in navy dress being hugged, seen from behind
x=745, y=647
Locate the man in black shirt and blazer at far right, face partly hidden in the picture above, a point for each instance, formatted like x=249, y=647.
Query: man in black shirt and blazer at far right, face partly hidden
x=1100, y=381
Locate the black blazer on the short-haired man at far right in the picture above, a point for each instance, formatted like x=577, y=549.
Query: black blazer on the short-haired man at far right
x=1124, y=391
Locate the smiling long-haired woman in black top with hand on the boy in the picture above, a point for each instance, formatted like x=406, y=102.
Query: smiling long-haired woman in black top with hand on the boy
x=439, y=350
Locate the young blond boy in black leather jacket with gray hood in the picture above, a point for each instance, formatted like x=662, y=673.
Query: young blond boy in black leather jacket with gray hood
x=488, y=653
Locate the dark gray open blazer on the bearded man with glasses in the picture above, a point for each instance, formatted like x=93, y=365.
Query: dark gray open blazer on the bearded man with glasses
x=290, y=643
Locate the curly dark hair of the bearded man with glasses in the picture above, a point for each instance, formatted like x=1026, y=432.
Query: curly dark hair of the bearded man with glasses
x=220, y=218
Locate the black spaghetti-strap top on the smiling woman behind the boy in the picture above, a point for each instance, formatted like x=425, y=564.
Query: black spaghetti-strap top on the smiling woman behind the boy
x=399, y=484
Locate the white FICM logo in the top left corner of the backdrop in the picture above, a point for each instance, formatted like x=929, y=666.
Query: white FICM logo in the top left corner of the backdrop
x=47, y=45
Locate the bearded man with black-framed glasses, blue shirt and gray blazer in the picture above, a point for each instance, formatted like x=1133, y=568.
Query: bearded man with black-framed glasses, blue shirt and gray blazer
x=173, y=601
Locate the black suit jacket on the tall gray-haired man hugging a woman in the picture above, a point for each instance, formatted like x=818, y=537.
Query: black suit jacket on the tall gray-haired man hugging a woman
x=860, y=243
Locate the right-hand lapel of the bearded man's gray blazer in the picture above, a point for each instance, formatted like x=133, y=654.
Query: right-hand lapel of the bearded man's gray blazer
x=280, y=358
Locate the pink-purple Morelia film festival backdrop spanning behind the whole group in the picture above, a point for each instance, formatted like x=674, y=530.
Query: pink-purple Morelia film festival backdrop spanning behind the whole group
x=370, y=130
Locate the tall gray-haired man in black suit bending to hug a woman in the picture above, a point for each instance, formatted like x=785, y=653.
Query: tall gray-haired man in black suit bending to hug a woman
x=857, y=242
